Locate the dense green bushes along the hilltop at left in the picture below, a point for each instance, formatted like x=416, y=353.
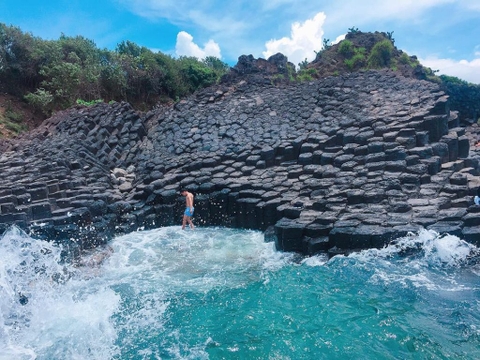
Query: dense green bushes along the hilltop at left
x=52, y=75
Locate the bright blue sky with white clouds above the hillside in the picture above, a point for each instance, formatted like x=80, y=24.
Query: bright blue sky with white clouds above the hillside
x=443, y=34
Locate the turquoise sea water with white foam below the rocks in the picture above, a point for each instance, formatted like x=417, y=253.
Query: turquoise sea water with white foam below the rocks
x=216, y=293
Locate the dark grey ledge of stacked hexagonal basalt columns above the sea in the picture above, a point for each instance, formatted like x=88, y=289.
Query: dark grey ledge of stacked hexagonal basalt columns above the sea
x=345, y=162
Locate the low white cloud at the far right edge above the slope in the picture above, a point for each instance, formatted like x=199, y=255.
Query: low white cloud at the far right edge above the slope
x=463, y=69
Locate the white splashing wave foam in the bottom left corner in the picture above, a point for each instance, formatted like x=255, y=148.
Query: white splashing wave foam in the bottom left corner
x=46, y=308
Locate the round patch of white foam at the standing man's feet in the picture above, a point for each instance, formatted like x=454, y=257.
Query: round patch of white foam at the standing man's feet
x=198, y=260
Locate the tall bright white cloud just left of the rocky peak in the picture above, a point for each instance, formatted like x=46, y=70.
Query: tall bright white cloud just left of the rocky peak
x=305, y=38
